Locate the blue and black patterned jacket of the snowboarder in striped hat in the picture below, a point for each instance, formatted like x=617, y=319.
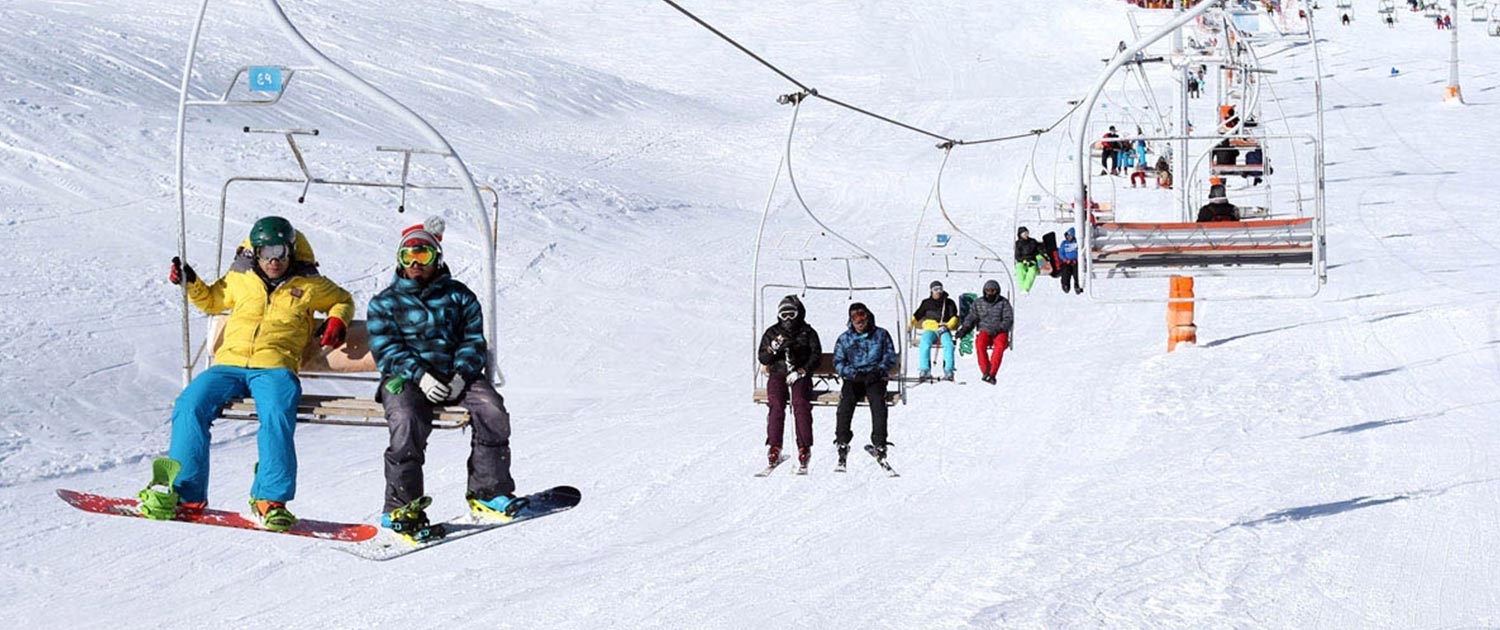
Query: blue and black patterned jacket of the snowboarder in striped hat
x=437, y=329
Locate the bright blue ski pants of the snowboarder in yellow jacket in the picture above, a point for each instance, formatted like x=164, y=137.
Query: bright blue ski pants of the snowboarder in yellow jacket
x=277, y=394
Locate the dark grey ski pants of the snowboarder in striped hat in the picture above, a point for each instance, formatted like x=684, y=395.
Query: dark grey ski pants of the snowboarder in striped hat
x=410, y=419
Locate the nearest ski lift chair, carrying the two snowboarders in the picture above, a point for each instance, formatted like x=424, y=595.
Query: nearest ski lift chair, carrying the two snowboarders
x=352, y=361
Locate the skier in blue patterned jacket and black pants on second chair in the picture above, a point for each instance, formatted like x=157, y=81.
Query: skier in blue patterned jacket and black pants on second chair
x=863, y=358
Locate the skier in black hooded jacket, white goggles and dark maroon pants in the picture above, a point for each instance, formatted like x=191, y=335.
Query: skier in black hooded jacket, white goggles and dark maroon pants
x=790, y=352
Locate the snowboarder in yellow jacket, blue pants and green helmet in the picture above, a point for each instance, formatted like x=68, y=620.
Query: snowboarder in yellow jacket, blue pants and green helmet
x=272, y=292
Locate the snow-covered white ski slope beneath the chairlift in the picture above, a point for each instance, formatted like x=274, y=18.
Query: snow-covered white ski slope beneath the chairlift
x=1312, y=464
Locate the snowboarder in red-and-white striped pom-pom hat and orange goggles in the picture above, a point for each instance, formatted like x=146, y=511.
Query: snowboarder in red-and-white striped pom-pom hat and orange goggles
x=428, y=338
